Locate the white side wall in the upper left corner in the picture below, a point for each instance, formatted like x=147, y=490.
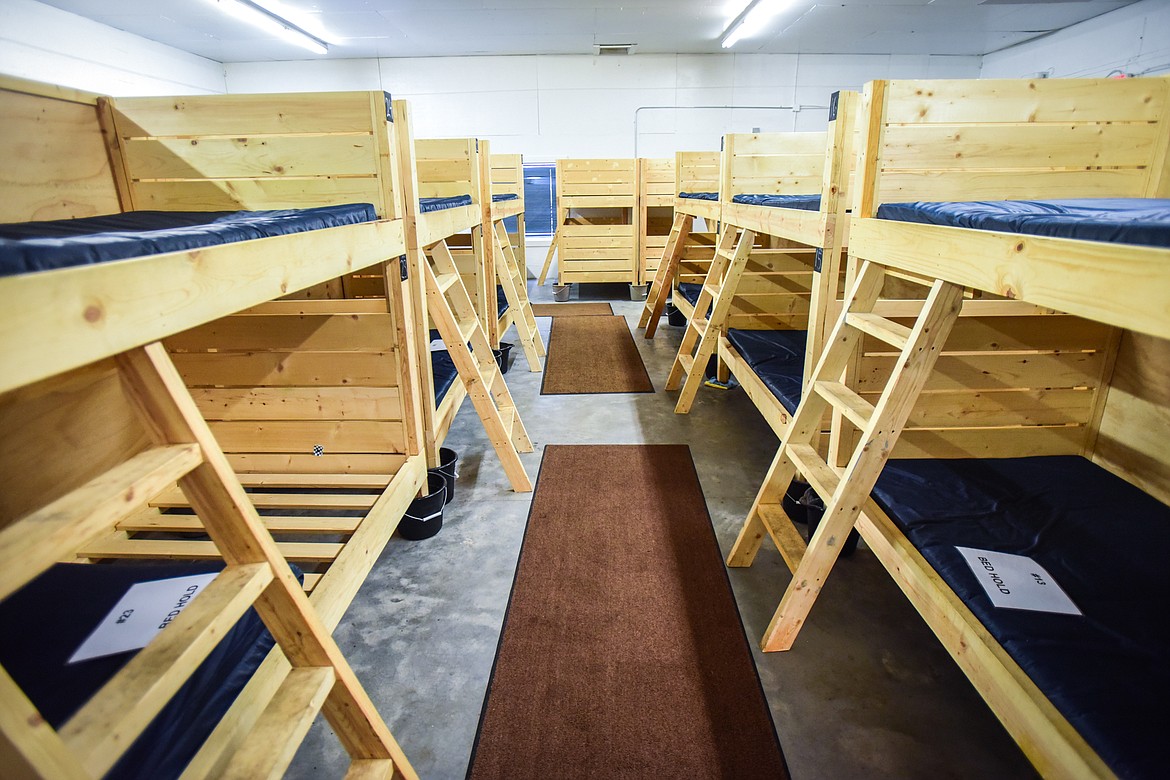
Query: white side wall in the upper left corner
x=45, y=44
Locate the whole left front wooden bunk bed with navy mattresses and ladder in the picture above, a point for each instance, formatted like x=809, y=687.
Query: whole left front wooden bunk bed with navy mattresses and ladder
x=101, y=423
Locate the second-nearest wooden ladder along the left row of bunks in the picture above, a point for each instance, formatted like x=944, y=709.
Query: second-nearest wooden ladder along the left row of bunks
x=455, y=315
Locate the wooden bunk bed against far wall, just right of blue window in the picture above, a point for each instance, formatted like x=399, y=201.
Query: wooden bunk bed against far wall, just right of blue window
x=597, y=222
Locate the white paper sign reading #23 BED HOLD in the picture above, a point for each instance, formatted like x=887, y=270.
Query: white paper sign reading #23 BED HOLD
x=141, y=615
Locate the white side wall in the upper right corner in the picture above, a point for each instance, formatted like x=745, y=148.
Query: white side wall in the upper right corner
x=1135, y=40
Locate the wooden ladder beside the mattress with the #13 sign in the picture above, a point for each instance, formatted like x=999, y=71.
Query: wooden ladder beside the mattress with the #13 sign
x=844, y=492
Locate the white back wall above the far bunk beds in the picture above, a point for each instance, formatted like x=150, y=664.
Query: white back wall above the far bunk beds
x=547, y=107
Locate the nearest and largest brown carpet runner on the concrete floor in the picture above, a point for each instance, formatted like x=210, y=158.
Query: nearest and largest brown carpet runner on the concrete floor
x=623, y=654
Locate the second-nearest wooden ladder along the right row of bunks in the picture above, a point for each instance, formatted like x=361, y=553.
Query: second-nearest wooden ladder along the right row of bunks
x=701, y=340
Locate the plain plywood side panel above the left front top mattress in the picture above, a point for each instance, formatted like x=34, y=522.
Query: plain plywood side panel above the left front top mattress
x=56, y=162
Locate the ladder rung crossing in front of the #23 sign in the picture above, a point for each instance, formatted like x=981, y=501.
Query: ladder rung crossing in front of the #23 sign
x=127, y=705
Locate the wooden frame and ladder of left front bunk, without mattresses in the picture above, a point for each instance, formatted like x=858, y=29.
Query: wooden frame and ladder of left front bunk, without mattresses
x=92, y=402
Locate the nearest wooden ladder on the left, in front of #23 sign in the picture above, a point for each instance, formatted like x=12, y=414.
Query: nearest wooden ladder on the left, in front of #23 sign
x=256, y=575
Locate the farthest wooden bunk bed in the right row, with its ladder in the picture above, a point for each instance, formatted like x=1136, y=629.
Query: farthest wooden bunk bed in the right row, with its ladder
x=687, y=252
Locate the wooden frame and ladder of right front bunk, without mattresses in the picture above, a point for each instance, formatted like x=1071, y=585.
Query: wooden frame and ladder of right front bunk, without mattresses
x=995, y=141
